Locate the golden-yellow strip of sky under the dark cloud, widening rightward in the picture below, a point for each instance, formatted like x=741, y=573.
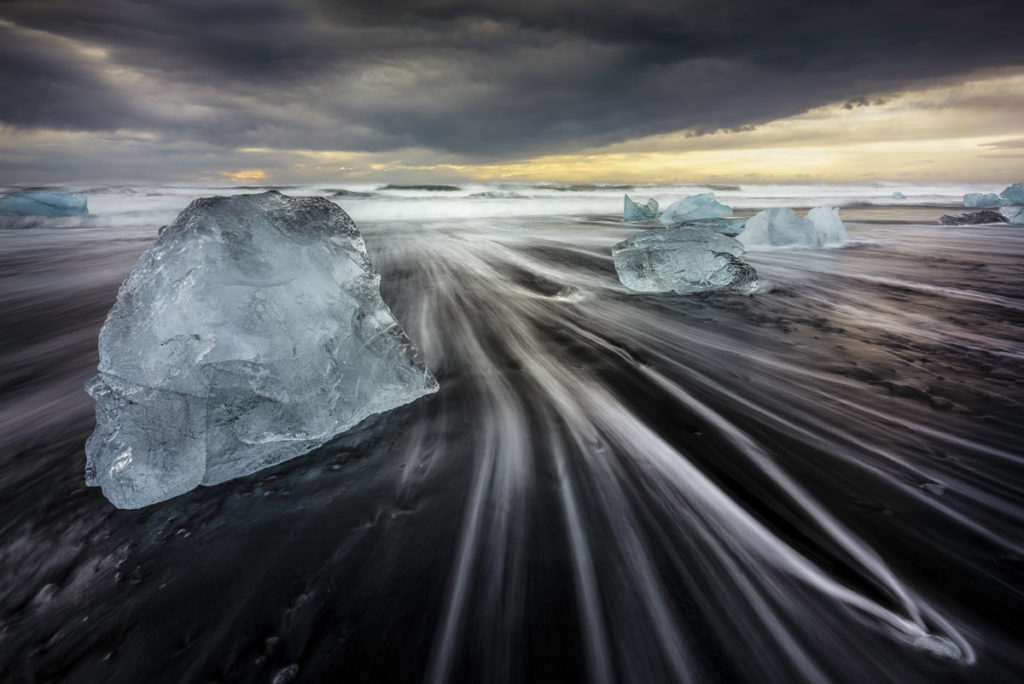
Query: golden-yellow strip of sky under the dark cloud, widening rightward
x=971, y=131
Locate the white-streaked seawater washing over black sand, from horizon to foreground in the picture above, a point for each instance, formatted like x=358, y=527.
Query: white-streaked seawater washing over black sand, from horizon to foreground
x=821, y=482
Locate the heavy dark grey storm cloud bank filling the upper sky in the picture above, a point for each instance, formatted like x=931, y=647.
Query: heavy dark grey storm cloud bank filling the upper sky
x=485, y=79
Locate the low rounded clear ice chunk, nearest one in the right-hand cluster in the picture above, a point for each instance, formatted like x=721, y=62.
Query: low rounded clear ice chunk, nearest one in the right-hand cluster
x=682, y=261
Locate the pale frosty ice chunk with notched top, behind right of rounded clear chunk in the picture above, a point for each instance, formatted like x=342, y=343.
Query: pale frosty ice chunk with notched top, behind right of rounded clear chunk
x=782, y=228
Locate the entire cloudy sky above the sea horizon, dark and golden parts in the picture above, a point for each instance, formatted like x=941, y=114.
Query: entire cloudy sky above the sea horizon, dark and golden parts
x=283, y=92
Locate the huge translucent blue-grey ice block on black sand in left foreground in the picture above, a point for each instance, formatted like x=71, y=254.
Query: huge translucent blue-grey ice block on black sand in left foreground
x=251, y=331
